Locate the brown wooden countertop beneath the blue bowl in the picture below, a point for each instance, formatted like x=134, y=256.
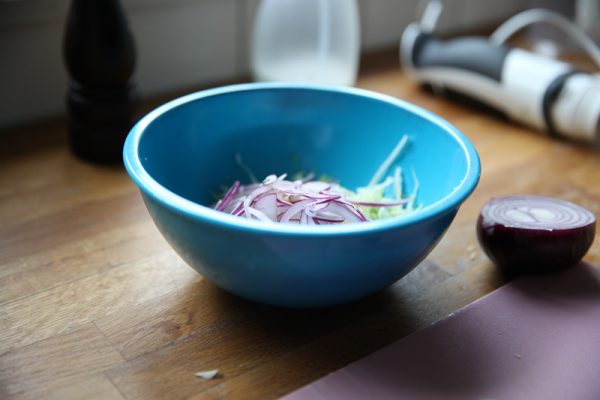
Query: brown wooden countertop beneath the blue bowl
x=95, y=304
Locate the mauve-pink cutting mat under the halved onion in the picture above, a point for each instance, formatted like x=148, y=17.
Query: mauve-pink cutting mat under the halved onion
x=537, y=337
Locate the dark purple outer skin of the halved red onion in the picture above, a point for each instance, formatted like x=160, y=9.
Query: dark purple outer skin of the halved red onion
x=526, y=250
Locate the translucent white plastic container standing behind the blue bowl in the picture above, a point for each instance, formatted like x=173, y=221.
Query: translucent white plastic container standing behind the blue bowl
x=306, y=41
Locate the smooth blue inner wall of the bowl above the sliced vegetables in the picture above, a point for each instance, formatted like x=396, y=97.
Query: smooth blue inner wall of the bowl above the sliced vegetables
x=191, y=149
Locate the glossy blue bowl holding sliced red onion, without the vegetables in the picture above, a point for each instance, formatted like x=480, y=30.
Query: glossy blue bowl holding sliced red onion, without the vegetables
x=184, y=151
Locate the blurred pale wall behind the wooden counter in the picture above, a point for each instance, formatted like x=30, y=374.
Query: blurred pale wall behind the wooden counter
x=180, y=43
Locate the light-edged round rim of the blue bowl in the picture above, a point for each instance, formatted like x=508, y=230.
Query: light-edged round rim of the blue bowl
x=205, y=214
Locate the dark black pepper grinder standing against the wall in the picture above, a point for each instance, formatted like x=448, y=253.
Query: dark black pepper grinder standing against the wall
x=99, y=55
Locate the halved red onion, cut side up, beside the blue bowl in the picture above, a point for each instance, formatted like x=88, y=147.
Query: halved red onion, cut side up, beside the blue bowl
x=527, y=233
